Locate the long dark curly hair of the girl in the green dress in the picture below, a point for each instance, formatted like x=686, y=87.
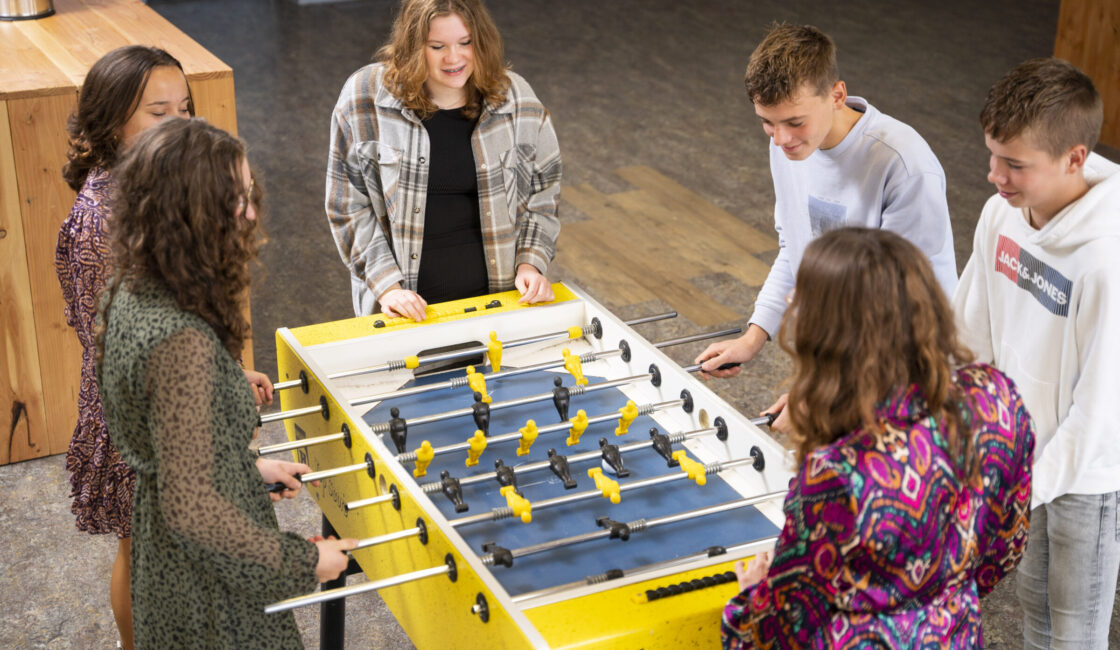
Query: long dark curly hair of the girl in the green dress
x=179, y=221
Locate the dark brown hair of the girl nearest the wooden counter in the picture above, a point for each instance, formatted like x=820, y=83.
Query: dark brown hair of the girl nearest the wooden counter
x=110, y=95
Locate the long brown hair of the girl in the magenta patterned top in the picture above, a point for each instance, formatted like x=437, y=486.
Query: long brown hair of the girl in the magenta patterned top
x=867, y=320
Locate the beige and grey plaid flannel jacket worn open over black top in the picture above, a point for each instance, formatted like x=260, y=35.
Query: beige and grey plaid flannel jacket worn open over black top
x=378, y=184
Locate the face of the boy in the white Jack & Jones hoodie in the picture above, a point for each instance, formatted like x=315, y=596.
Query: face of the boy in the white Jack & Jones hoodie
x=1028, y=177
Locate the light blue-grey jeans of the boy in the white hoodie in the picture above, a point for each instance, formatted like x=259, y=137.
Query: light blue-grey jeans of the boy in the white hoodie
x=1068, y=578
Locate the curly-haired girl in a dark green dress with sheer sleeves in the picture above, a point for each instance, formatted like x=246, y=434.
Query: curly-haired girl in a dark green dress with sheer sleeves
x=208, y=556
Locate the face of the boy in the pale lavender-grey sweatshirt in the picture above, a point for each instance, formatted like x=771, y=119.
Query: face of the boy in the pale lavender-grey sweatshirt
x=805, y=123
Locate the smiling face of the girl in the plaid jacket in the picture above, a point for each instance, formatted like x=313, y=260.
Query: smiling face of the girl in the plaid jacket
x=450, y=57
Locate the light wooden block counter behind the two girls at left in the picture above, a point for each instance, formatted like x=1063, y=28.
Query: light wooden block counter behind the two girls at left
x=44, y=66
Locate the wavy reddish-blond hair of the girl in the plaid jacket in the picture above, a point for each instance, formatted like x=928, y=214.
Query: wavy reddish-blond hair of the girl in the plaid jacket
x=407, y=70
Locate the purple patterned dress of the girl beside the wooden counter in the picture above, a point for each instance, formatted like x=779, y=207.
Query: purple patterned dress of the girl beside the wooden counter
x=101, y=484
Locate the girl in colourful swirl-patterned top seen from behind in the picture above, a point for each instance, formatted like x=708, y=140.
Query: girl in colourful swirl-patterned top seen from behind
x=913, y=495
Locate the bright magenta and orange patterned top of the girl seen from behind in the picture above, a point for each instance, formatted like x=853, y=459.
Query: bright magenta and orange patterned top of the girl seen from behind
x=883, y=546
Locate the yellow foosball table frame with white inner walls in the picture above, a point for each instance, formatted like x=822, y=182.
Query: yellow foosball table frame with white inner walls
x=444, y=590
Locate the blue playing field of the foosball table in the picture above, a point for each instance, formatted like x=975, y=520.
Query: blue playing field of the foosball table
x=577, y=562
